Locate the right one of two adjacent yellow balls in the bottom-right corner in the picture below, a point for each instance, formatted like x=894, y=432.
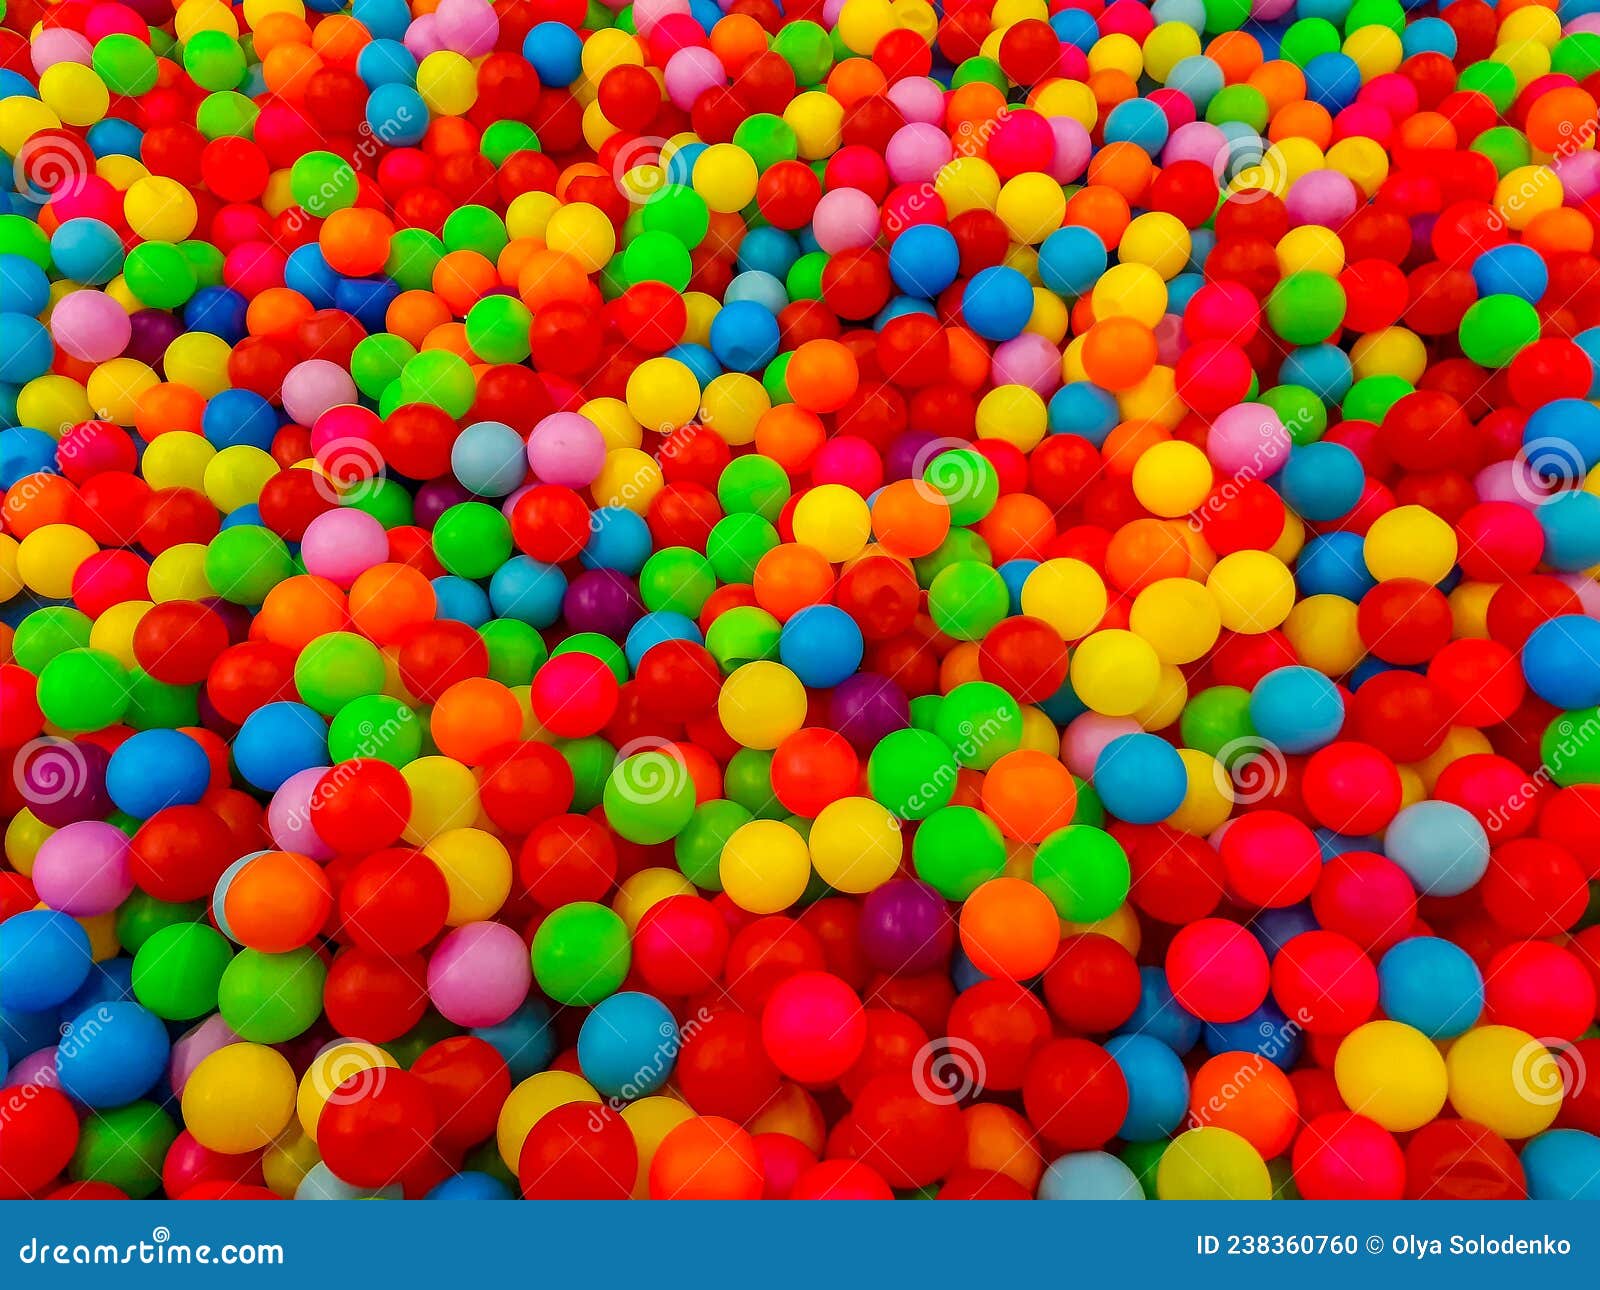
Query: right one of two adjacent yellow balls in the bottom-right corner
x=1505, y=1080
